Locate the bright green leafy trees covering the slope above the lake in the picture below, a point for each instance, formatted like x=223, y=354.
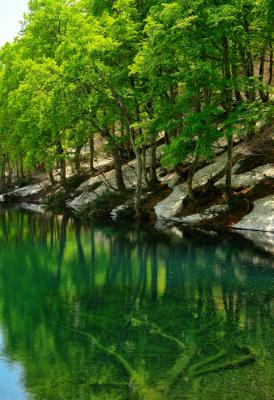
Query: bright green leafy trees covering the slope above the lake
x=133, y=74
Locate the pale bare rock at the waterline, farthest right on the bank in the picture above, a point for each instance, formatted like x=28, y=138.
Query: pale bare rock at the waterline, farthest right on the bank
x=261, y=218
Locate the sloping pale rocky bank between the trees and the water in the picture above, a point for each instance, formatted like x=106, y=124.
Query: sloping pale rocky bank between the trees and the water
x=249, y=210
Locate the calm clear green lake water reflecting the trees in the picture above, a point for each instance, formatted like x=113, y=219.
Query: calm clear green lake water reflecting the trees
x=92, y=312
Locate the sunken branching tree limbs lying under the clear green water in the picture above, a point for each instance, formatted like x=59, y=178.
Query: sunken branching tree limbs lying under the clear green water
x=161, y=389
